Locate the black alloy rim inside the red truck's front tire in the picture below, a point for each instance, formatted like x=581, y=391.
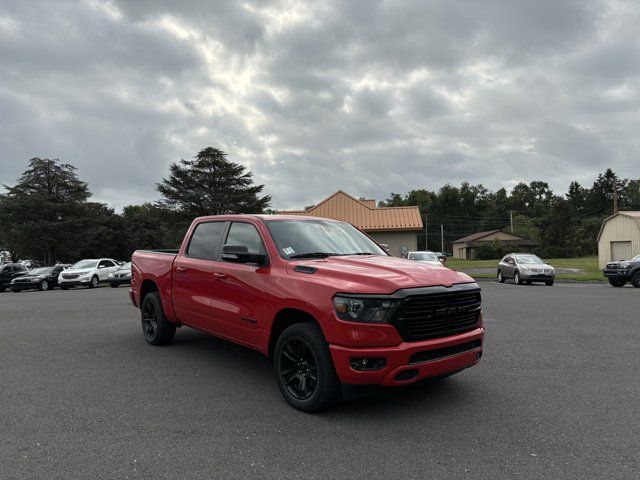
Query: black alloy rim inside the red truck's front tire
x=298, y=369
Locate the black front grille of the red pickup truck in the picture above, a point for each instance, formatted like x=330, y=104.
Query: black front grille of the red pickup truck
x=438, y=314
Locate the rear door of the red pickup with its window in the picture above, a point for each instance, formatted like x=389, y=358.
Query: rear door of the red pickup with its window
x=193, y=281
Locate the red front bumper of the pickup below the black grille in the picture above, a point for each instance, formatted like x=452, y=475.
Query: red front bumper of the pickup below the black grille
x=398, y=360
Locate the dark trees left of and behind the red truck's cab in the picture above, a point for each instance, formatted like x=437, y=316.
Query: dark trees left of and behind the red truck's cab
x=48, y=215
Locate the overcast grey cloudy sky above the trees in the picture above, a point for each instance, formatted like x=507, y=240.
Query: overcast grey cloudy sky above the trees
x=367, y=96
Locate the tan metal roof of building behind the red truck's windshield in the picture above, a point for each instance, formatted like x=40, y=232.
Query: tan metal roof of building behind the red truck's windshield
x=364, y=214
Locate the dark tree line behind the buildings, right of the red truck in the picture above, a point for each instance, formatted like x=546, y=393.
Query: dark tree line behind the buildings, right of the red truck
x=564, y=225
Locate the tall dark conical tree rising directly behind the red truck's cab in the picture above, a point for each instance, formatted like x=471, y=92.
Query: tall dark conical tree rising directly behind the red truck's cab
x=211, y=185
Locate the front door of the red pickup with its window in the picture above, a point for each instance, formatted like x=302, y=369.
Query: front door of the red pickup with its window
x=239, y=293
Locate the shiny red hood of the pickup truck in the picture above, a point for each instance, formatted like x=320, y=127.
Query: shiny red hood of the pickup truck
x=377, y=274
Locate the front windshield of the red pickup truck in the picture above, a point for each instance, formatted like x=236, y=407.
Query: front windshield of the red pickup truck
x=319, y=238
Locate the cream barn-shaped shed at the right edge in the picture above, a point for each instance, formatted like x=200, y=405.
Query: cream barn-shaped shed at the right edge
x=619, y=237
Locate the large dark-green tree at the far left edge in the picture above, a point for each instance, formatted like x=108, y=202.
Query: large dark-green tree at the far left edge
x=42, y=215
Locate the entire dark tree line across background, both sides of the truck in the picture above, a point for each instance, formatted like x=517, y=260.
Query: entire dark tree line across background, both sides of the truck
x=48, y=214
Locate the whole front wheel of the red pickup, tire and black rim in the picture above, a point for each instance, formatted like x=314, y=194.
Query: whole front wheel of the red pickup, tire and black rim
x=304, y=369
